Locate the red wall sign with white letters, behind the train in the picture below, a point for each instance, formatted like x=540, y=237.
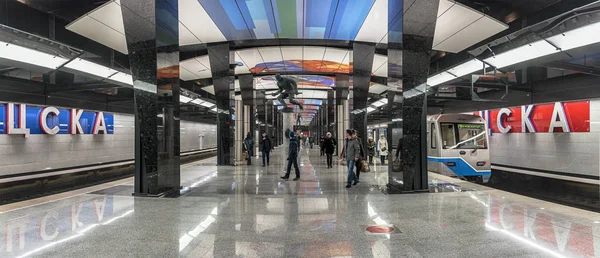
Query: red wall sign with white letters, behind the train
x=566, y=117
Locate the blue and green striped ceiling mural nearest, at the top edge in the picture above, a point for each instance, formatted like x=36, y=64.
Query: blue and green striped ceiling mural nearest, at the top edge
x=312, y=19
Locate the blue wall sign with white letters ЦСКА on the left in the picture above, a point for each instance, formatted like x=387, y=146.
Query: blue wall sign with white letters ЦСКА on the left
x=22, y=119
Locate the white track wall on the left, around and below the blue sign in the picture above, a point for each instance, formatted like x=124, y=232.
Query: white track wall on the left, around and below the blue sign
x=39, y=152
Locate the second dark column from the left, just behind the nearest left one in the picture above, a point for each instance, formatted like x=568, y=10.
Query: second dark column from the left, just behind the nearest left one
x=223, y=80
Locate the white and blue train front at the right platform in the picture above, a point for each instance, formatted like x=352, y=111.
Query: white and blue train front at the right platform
x=458, y=146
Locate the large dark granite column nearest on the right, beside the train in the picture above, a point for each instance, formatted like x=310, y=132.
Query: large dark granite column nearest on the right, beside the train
x=413, y=36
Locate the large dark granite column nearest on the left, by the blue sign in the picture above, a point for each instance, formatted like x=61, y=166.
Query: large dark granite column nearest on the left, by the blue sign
x=152, y=34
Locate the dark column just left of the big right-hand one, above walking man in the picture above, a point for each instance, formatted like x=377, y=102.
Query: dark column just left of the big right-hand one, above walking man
x=362, y=56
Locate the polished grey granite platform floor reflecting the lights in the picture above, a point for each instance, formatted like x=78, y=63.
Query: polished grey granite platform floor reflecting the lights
x=247, y=211
